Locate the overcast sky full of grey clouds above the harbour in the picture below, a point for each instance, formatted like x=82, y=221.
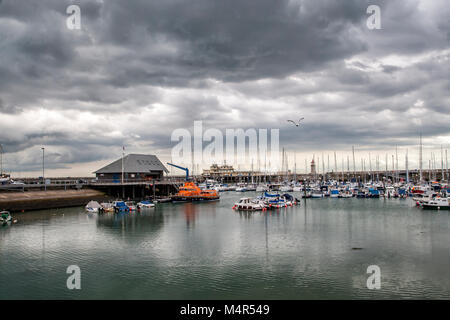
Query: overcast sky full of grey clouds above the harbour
x=137, y=70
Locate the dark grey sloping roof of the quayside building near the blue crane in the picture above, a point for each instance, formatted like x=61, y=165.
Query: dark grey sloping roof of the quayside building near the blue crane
x=134, y=163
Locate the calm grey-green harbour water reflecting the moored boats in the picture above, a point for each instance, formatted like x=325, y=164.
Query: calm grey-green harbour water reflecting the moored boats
x=318, y=250
